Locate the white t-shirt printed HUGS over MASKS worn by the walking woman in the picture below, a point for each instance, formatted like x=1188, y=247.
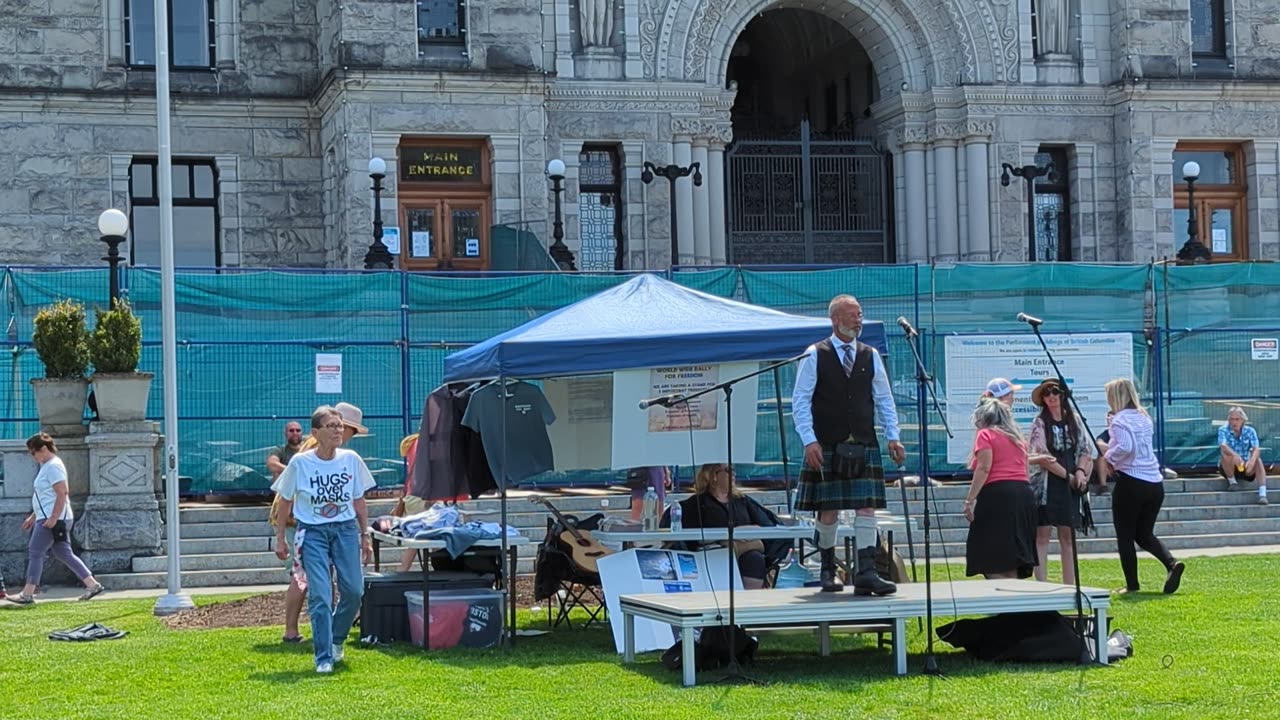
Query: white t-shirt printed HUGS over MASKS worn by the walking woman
x=324, y=491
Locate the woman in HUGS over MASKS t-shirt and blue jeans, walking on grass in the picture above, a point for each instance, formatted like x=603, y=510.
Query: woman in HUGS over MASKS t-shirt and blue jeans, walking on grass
x=324, y=490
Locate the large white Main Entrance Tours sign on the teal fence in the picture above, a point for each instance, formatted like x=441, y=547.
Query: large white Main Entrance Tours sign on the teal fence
x=1087, y=363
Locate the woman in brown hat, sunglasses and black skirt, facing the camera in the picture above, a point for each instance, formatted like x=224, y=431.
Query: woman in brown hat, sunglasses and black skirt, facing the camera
x=1060, y=477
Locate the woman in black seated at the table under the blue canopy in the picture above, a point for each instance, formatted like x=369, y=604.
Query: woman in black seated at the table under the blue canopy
x=715, y=498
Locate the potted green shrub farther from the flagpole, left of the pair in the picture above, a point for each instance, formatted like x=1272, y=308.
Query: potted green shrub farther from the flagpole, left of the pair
x=62, y=344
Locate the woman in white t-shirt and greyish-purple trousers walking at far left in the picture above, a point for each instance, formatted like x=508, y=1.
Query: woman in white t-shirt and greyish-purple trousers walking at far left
x=51, y=523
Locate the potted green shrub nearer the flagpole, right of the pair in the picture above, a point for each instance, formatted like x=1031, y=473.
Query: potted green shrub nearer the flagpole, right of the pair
x=116, y=348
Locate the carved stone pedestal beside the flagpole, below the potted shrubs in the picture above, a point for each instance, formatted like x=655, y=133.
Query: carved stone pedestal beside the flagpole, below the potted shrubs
x=122, y=516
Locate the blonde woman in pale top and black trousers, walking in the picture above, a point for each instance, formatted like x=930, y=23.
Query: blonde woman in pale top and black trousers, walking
x=1140, y=486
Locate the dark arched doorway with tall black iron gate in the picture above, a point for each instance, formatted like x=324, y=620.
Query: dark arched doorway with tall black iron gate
x=804, y=181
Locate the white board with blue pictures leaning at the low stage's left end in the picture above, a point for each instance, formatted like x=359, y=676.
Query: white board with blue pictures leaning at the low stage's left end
x=647, y=571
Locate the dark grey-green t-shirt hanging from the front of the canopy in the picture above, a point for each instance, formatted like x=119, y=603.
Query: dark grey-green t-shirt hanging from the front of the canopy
x=529, y=449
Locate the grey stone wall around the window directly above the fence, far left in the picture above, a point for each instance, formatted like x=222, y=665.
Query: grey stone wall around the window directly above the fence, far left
x=68, y=165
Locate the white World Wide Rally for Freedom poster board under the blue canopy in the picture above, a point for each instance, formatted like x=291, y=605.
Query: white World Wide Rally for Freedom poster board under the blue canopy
x=683, y=434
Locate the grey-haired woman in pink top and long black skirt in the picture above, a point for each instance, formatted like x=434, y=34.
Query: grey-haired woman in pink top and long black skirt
x=1002, y=508
